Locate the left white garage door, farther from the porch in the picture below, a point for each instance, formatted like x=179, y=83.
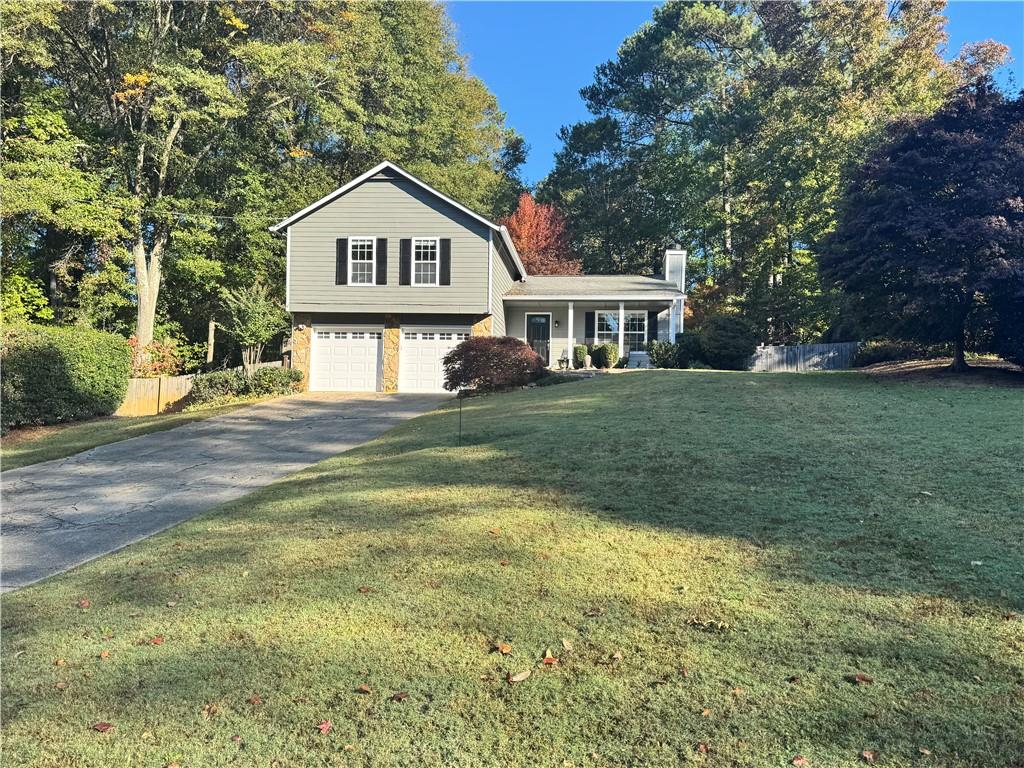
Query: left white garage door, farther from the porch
x=347, y=360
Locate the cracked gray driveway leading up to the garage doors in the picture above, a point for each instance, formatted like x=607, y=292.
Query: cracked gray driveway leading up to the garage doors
x=61, y=514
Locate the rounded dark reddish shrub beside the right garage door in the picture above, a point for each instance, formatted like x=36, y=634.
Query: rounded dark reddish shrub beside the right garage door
x=491, y=364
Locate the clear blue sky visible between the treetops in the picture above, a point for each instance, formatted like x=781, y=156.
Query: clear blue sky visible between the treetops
x=536, y=57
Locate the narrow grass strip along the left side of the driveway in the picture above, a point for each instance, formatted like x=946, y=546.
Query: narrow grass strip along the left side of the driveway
x=34, y=445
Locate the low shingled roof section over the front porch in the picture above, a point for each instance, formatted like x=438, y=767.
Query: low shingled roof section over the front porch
x=593, y=287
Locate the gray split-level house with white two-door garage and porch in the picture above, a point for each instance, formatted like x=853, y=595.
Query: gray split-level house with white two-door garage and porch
x=387, y=275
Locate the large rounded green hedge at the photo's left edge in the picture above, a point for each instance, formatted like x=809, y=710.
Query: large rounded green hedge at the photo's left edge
x=60, y=374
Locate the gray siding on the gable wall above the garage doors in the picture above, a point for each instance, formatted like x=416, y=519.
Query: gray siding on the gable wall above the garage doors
x=393, y=209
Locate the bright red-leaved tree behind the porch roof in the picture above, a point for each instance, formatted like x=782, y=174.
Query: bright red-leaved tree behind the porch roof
x=539, y=233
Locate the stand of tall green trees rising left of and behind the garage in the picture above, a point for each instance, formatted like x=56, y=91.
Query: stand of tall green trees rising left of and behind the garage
x=173, y=135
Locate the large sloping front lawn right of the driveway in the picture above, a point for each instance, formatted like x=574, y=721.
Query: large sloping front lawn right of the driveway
x=711, y=557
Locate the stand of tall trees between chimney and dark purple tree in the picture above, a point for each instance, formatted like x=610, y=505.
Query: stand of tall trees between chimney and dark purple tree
x=732, y=130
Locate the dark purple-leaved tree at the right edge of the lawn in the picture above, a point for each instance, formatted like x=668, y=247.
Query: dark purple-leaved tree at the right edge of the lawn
x=930, y=243
